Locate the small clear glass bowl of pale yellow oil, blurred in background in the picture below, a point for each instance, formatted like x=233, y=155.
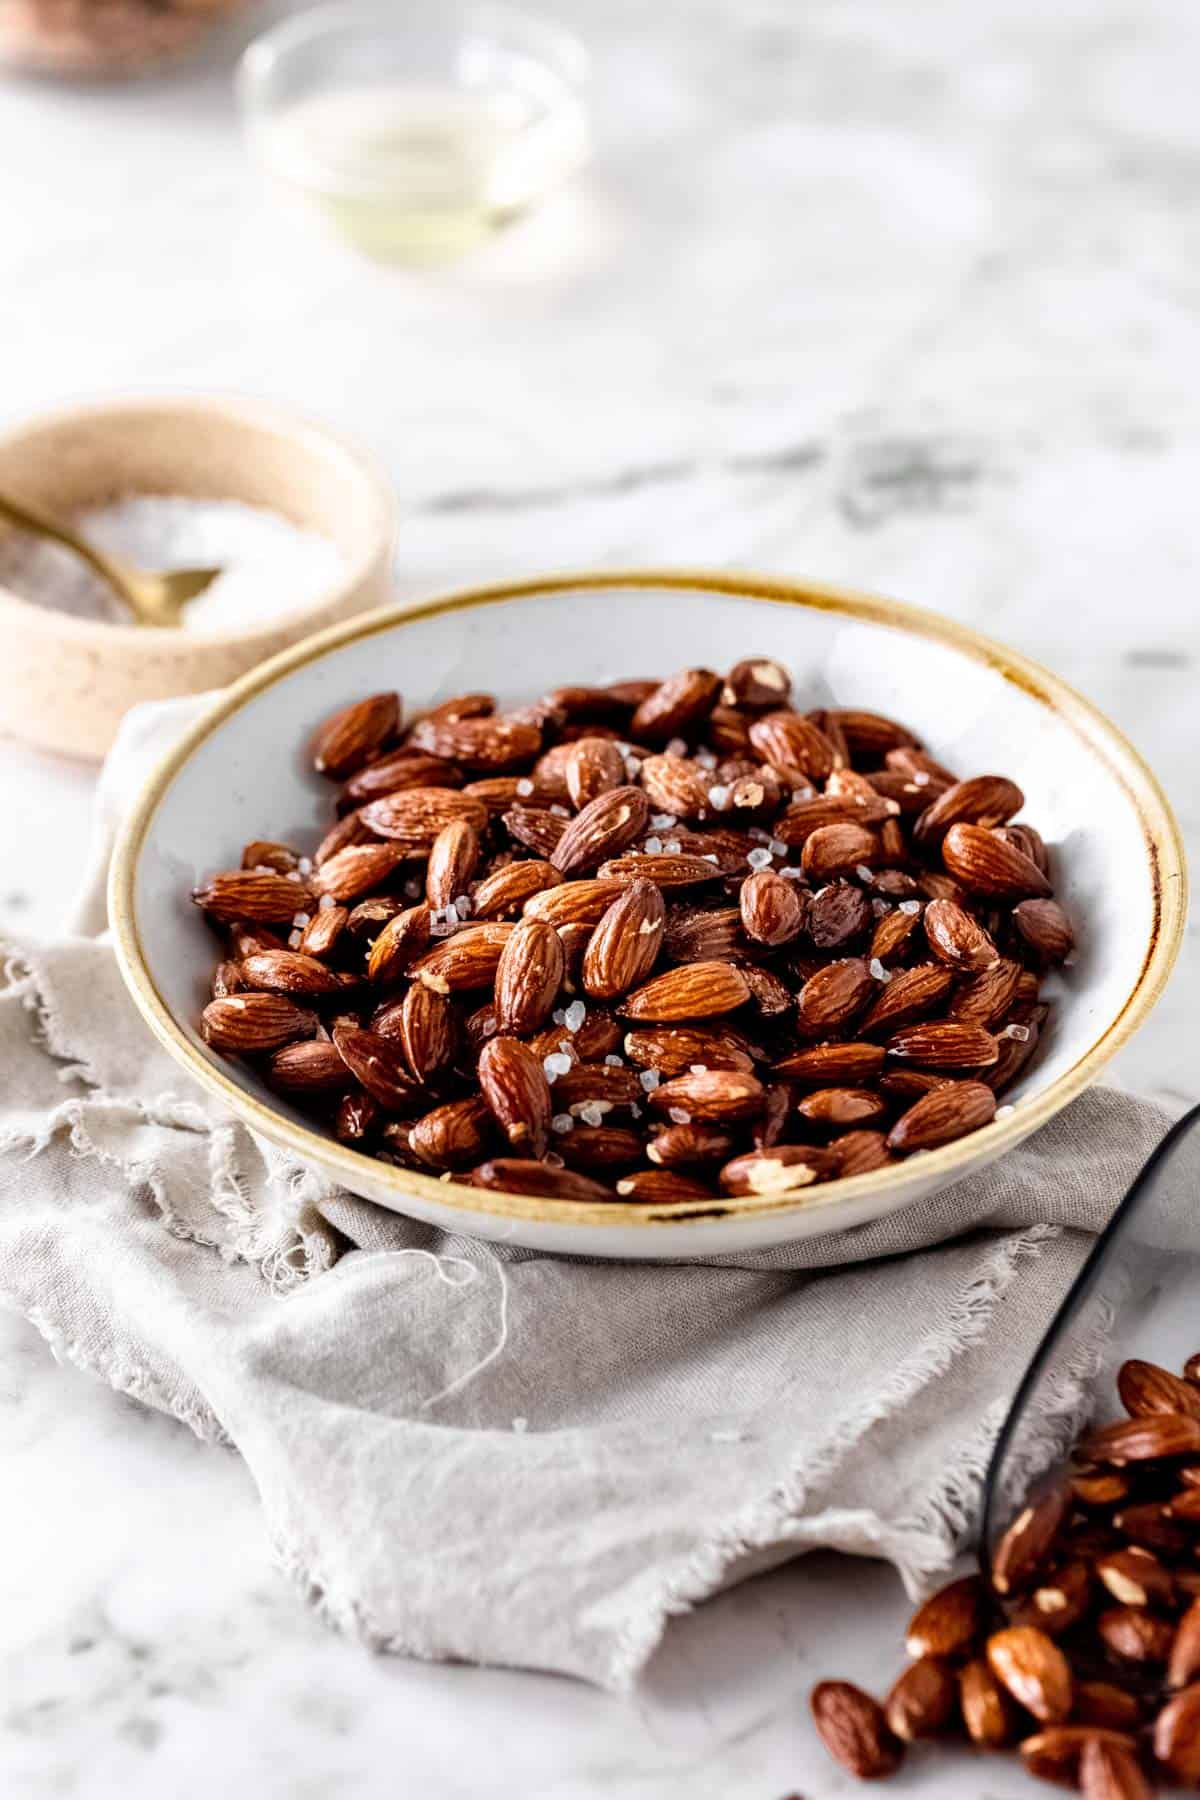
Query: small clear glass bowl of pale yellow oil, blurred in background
x=416, y=130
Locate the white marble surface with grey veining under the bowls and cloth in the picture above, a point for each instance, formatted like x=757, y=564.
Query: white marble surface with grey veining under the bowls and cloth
x=890, y=294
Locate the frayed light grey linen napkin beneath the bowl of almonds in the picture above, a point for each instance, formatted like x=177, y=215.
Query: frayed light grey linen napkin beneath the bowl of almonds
x=479, y=1453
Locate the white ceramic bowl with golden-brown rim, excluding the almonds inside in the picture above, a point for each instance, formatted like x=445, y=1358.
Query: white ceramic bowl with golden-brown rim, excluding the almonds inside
x=242, y=773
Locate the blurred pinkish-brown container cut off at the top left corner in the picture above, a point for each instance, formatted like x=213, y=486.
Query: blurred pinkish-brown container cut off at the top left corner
x=89, y=39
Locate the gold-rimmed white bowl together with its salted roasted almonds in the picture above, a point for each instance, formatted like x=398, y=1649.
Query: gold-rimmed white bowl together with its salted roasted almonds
x=812, y=912
